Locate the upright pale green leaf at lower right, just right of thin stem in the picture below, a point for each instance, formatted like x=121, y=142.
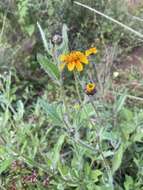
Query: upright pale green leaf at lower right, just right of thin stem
x=117, y=159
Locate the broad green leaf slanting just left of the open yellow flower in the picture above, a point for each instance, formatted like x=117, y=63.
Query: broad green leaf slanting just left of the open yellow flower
x=50, y=68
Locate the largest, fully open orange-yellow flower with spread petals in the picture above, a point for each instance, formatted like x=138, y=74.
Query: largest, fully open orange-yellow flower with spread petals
x=74, y=60
